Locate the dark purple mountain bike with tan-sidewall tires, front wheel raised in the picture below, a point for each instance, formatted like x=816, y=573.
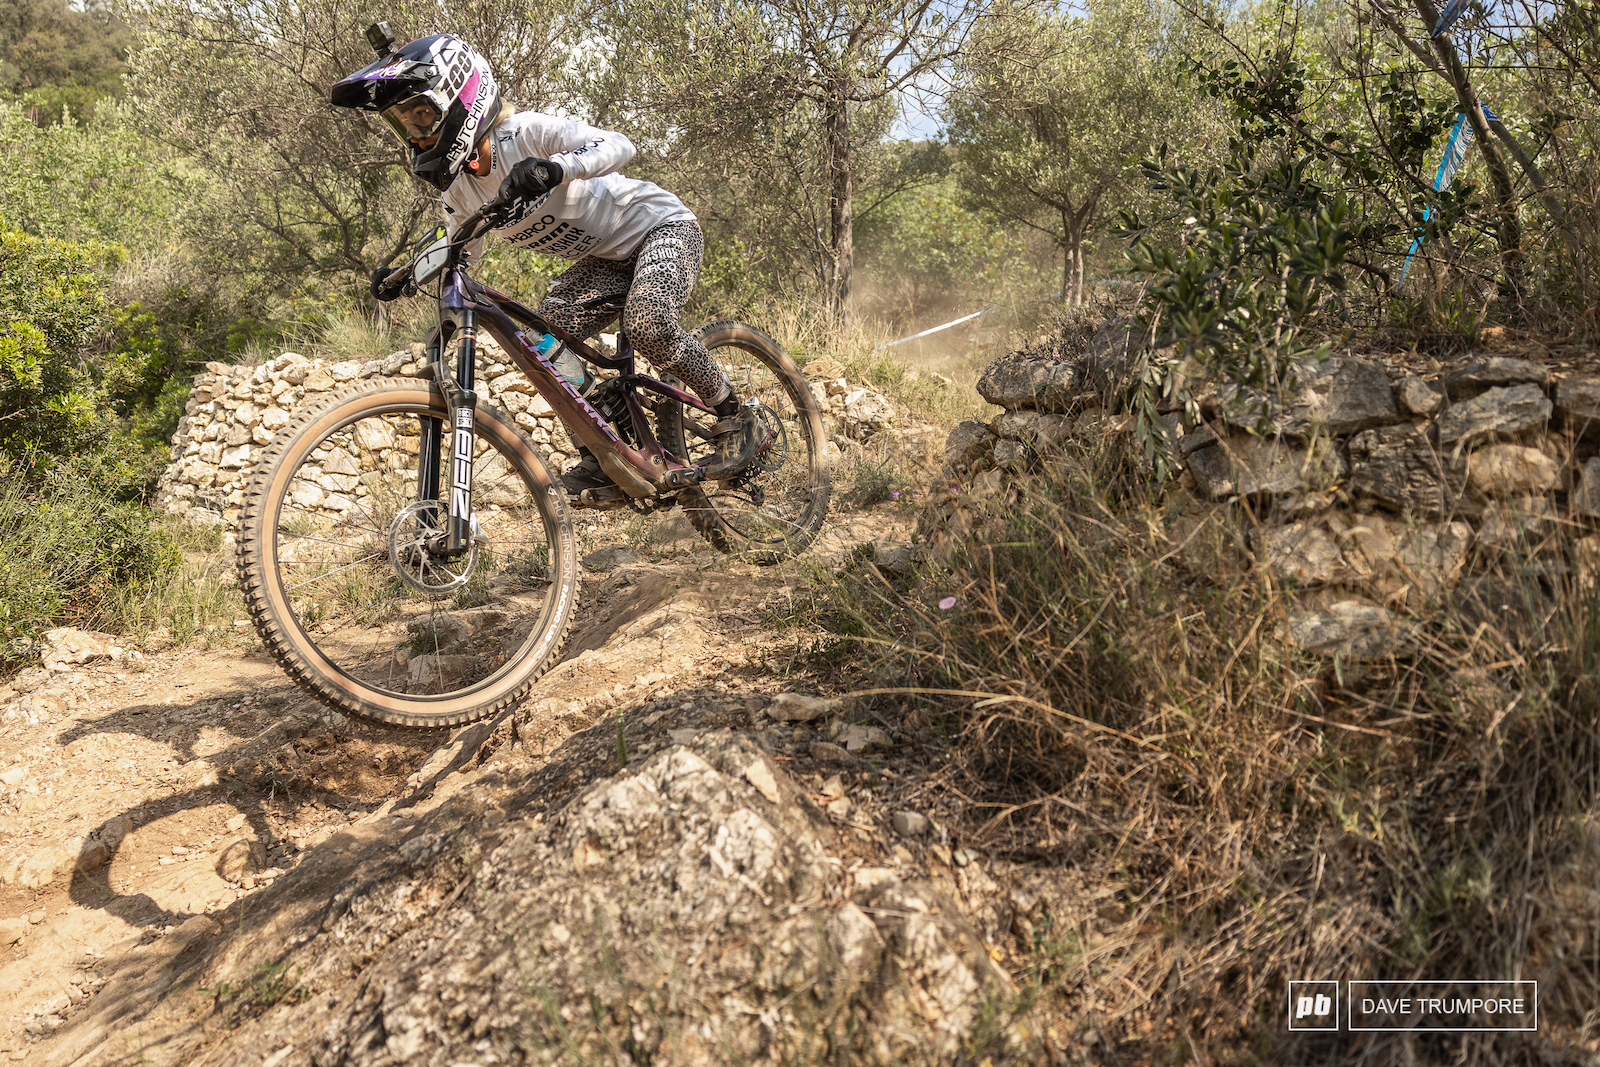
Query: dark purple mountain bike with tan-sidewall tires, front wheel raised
x=407, y=556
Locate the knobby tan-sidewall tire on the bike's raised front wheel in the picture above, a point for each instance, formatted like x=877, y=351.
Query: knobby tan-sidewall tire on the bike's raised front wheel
x=289, y=642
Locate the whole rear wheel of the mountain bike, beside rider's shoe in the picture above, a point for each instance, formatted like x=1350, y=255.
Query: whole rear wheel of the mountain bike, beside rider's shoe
x=777, y=508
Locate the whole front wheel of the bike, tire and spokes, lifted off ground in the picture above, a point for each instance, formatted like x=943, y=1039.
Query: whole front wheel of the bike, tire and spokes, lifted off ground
x=348, y=583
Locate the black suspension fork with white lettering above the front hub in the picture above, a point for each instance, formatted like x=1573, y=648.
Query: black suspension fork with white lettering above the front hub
x=462, y=401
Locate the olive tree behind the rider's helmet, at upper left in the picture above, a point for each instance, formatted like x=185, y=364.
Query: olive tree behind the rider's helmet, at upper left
x=242, y=89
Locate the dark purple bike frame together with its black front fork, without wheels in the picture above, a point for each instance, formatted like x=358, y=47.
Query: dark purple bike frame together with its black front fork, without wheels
x=465, y=306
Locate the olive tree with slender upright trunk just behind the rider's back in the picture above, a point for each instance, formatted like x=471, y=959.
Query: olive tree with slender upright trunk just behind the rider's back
x=798, y=95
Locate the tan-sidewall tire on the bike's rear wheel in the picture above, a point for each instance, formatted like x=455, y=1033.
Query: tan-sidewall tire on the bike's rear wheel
x=702, y=510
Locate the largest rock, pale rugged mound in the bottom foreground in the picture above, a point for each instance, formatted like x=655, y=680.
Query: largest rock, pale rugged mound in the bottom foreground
x=692, y=911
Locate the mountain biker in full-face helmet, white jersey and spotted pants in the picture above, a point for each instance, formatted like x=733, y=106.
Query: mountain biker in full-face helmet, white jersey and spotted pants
x=567, y=198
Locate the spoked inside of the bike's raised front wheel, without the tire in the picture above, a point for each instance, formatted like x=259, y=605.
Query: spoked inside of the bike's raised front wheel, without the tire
x=353, y=599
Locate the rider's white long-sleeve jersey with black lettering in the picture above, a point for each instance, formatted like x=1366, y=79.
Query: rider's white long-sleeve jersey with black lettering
x=594, y=212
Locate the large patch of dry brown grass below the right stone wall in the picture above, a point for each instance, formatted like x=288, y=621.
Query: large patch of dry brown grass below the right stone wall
x=1127, y=713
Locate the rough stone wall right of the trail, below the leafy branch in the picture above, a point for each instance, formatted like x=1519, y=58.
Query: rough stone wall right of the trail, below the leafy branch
x=1374, y=482
